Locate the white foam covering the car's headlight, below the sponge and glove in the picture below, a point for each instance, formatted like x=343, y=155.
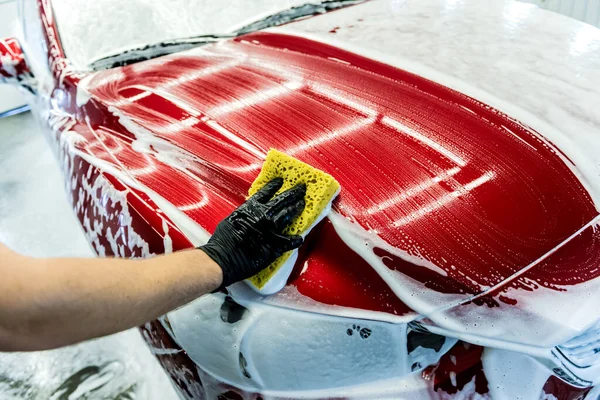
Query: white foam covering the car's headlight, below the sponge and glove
x=292, y=354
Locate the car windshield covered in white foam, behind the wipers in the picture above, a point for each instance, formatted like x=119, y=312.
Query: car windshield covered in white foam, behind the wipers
x=100, y=29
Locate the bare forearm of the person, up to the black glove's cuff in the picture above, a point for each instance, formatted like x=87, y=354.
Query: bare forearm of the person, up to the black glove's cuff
x=56, y=302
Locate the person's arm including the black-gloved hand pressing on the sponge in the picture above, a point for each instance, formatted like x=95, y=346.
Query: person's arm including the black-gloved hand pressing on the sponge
x=48, y=303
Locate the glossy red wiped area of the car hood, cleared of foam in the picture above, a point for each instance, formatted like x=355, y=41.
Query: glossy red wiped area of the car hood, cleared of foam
x=431, y=171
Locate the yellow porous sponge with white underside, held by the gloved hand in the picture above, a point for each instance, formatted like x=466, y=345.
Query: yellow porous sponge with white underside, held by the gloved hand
x=321, y=189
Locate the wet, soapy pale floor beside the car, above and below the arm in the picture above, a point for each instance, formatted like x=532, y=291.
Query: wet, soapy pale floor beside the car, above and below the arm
x=36, y=219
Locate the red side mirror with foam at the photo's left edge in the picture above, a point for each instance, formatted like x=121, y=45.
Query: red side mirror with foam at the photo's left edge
x=13, y=67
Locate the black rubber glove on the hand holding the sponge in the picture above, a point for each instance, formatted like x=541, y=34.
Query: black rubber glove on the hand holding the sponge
x=251, y=238
